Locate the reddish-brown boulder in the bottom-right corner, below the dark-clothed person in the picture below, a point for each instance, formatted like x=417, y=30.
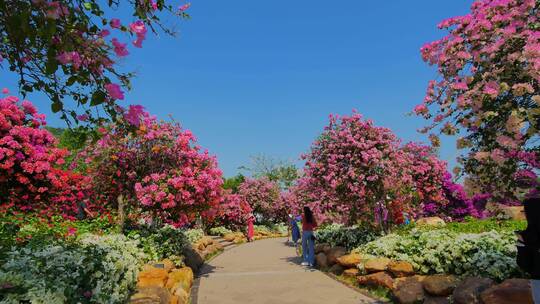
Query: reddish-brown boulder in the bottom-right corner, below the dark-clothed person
x=509, y=292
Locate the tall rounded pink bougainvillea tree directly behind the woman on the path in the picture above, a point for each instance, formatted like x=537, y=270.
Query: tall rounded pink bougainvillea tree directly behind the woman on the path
x=354, y=168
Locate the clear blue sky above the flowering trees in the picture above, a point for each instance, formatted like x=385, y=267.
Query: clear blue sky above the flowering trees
x=252, y=77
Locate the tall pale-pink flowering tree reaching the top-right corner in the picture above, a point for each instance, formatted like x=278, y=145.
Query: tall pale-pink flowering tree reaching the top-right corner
x=489, y=65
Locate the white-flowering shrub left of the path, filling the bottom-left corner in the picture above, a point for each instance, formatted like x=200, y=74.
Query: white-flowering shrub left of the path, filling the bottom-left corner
x=93, y=269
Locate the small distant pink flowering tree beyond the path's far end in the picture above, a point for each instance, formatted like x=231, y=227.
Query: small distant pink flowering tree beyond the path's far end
x=263, y=196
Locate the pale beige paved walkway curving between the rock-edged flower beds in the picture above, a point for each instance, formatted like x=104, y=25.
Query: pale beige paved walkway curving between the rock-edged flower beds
x=268, y=272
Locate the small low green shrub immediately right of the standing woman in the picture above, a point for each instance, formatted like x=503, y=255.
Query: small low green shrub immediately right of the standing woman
x=348, y=237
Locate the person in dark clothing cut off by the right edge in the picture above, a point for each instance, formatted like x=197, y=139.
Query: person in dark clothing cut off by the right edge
x=529, y=239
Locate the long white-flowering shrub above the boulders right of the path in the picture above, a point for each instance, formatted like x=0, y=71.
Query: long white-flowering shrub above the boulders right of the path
x=489, y=254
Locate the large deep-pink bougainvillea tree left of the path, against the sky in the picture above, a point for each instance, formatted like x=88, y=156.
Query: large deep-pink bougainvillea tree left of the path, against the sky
x=154, y=166
